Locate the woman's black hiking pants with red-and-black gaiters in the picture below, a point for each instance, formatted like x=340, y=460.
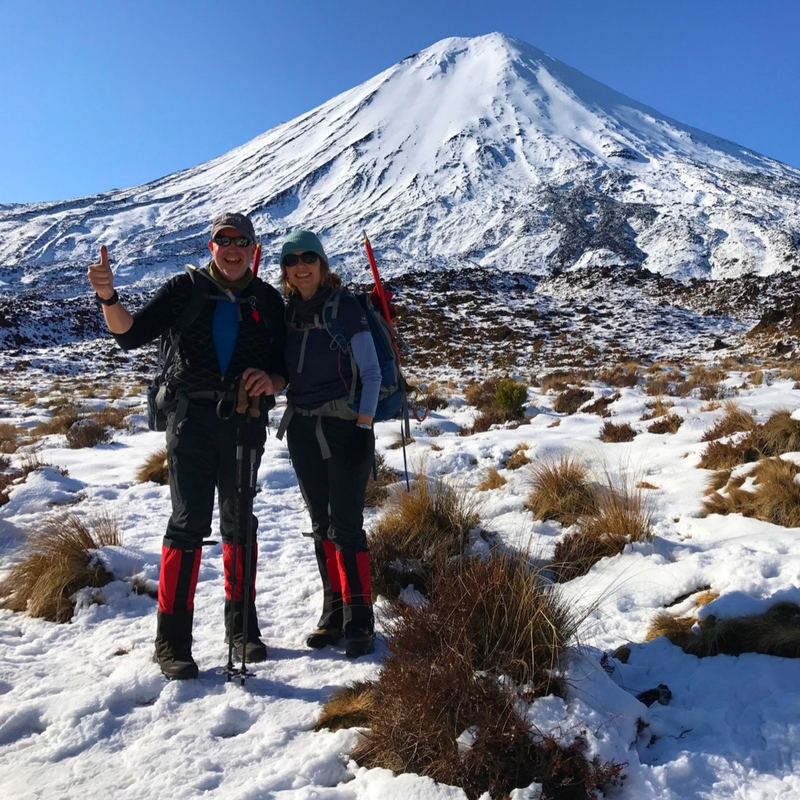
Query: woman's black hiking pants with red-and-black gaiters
x=333, y=490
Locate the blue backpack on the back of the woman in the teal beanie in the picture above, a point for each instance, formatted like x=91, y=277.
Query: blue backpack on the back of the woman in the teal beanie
x=392, y=398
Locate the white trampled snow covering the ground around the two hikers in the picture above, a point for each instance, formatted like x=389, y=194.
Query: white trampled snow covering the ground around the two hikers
x=84, y=712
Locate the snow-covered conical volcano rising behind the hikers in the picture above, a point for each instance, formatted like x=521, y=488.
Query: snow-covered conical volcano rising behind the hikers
x=474, y=151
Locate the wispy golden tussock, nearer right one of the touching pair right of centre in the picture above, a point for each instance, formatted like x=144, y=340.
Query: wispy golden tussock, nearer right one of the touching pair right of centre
x=621, y=516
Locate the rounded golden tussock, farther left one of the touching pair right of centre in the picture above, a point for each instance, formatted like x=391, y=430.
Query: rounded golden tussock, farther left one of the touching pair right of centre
x=560, y=490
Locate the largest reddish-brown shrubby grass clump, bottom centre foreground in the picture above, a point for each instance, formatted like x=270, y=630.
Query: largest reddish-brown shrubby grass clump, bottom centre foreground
x=438, y=708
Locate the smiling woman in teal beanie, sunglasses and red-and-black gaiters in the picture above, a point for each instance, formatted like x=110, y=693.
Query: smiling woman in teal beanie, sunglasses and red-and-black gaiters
x=329, y=433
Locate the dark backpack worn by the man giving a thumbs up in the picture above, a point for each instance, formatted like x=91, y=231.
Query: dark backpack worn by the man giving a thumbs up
x=160, y=395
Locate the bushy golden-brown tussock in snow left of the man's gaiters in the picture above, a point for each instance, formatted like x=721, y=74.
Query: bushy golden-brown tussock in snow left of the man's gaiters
x=58, y=563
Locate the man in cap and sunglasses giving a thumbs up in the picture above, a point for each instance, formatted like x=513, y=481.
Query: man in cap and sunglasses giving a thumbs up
x=238, y=335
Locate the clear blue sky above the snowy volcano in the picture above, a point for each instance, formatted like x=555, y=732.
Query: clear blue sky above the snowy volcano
x=102, y=94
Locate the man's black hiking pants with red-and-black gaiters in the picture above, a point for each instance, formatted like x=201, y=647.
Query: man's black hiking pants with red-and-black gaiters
x=201, y=458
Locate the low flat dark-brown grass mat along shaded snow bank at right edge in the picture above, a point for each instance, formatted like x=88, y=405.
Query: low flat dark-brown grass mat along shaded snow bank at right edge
x=776, y=632
